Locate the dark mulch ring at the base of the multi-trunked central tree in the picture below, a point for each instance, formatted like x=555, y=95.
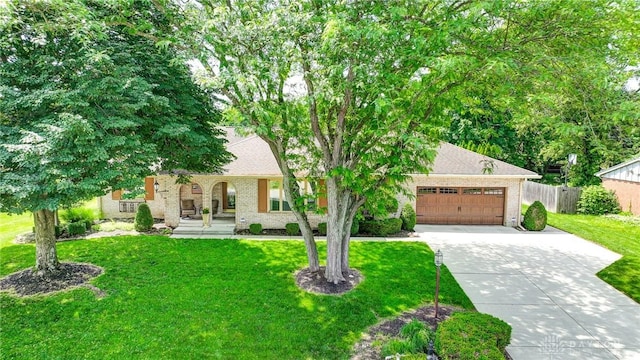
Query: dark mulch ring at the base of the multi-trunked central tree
x=316, y=282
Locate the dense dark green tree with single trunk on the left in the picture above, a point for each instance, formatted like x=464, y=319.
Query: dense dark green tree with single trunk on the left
x=88, y=105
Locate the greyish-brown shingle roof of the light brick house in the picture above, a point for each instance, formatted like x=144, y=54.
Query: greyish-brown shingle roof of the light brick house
x=254, y=157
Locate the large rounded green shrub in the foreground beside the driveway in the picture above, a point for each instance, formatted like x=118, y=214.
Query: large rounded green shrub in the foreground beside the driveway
x=472, y=335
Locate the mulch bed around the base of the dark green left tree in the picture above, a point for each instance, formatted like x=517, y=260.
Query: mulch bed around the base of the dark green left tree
x=68, y=276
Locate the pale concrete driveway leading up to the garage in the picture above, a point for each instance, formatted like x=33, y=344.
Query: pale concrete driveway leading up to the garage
x=544, y=285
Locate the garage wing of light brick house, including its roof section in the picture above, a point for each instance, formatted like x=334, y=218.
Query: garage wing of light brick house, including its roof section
x=467, y=188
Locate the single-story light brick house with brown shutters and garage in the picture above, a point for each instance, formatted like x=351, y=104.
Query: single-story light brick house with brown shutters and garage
x=463, y=188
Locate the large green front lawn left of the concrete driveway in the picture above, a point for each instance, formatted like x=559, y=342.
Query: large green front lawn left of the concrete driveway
x=185, y=299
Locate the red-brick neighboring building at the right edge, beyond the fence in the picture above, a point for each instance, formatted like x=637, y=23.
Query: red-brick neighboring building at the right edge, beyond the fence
x=624, y=180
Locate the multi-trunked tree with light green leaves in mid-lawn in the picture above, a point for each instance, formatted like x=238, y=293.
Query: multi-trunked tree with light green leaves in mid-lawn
x=355, y=92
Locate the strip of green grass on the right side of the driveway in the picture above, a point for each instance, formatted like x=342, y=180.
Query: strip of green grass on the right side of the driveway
x=615, y=234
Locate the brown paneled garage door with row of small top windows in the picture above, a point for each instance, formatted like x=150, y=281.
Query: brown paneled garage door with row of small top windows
x=453, y=205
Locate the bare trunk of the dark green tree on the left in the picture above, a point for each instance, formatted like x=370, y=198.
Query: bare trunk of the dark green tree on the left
x=46, y=255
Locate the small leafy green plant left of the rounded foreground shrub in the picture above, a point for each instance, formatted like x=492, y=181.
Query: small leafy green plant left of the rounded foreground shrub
x=414, y=339
